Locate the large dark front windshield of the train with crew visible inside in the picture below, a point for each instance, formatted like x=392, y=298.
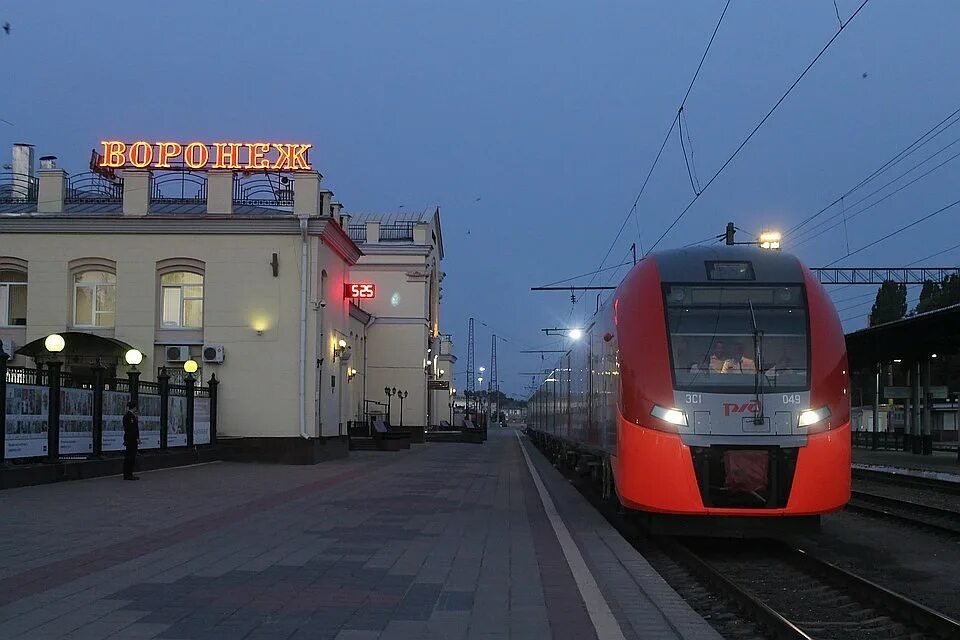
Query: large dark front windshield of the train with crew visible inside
x=721, y=335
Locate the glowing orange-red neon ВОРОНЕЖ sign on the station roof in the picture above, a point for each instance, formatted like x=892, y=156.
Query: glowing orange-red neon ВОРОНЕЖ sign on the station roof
x=245, y=156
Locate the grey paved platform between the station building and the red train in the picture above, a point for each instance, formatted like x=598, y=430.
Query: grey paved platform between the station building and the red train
x=441, y=541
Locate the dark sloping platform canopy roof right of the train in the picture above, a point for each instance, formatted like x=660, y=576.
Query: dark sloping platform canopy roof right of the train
x=908, y=339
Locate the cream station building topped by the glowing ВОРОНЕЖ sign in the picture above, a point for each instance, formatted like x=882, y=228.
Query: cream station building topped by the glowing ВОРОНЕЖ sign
x=245, y=269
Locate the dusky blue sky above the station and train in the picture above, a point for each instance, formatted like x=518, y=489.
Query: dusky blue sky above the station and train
x=531, y=125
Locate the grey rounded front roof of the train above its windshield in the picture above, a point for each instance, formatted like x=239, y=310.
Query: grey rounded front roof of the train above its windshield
x=724, y=263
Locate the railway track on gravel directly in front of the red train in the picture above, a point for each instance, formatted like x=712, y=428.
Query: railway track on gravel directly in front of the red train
x=795, y=595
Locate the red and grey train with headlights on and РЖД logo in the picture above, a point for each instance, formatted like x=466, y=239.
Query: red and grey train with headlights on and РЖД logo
x=713, y=390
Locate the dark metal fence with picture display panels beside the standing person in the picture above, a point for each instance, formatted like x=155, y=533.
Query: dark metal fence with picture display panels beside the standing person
x=89, y=412
